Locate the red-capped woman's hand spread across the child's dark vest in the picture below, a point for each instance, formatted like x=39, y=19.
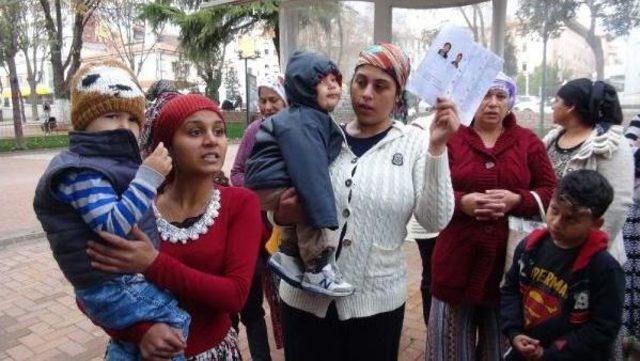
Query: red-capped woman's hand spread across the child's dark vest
x=123, y=256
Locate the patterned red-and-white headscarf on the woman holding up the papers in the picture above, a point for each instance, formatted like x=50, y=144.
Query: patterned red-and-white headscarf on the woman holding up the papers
x=393, y=61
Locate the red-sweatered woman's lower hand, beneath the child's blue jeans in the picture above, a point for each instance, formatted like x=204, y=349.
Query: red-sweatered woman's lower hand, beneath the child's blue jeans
x=162, y=342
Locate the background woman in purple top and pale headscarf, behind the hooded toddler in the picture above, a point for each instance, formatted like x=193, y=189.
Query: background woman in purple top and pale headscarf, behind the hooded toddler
x=271, y=100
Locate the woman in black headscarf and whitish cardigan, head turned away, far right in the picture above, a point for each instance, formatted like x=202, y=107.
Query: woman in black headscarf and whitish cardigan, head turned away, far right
x=589, y=136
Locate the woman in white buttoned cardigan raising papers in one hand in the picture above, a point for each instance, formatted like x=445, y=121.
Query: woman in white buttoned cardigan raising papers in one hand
x=385, y=173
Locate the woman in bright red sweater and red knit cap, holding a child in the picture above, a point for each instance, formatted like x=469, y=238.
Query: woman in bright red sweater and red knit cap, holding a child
x=210, y=237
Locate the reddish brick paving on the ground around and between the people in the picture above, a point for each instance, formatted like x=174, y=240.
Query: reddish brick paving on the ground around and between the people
x=39, y=319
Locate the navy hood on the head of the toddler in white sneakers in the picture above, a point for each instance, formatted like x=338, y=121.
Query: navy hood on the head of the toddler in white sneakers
x=304, y=72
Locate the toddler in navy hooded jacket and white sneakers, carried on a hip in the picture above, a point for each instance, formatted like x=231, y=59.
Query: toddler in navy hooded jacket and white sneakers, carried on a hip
x=294, y=149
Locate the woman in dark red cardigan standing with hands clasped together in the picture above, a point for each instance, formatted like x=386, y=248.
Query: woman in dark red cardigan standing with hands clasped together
x=495, y=164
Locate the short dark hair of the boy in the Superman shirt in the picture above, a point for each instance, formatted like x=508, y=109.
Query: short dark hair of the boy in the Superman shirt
x=586, y=189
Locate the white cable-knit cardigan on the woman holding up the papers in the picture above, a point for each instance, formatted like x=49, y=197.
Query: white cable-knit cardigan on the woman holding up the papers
x=393, y=180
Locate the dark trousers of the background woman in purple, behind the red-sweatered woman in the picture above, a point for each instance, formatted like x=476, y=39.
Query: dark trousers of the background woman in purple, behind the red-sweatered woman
x=252, y=317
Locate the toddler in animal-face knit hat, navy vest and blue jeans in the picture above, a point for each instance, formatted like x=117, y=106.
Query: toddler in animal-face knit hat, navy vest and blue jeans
x=100, y=184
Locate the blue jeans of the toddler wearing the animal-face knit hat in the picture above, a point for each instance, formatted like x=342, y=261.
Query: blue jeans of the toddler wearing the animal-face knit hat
x=126, y=300
